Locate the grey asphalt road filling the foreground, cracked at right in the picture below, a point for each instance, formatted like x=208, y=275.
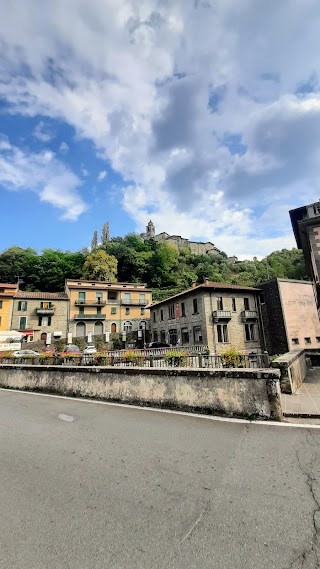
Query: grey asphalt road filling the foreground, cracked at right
x=88, y=486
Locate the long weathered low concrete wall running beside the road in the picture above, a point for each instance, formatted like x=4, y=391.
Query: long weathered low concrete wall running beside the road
x=231, y=391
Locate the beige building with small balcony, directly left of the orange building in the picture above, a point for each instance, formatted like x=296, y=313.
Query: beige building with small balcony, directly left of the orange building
x=37, y=314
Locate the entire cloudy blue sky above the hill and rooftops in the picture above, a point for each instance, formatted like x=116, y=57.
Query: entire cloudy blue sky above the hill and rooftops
x=203, y=115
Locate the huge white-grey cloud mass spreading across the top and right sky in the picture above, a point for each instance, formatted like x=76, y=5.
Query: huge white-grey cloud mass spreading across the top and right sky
x=164, y=89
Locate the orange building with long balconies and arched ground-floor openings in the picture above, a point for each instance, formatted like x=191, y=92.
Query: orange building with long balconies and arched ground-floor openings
x=98, y=307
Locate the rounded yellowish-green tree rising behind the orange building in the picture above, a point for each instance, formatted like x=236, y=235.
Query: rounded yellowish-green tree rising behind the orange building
x=99, y=266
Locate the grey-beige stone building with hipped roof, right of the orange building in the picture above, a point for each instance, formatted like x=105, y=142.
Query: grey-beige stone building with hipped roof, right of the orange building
x=216, y=315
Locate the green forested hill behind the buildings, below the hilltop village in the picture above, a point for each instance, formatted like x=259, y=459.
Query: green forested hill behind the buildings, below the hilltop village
x=159, y=265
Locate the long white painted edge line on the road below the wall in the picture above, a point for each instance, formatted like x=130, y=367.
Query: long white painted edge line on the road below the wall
x=265, y=423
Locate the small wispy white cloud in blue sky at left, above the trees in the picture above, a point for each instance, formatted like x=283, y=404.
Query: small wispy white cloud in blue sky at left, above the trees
x=43, y=174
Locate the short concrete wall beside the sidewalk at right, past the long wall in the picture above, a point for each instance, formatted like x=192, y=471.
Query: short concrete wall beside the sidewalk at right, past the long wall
x=293, y=368
